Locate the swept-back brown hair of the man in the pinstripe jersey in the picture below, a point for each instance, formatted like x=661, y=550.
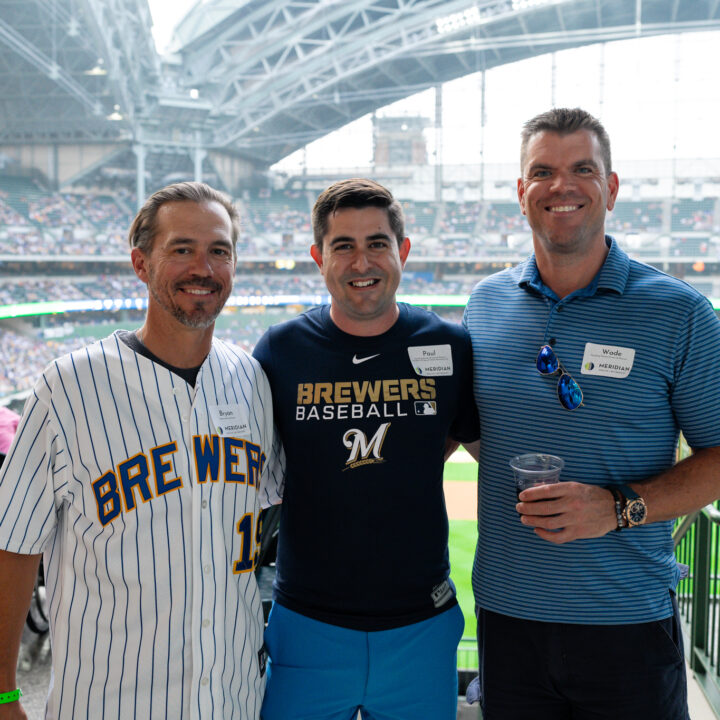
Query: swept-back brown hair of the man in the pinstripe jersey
x=144, y=226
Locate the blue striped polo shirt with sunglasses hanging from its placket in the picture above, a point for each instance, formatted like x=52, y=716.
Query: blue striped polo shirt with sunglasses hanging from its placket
x=625, y=431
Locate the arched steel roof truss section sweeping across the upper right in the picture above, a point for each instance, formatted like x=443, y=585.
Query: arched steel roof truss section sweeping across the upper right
x=281, y=74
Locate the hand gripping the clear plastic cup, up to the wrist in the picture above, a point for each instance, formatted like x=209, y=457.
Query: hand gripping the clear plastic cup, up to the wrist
x=567, y=511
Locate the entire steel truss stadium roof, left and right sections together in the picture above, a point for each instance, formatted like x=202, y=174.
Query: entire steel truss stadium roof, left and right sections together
x=262, y=78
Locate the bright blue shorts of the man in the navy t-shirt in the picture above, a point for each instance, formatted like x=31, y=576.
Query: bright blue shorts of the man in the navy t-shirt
x=318, y=671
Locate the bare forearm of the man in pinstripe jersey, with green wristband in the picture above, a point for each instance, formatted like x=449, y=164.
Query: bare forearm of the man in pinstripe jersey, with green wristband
x=17, y=579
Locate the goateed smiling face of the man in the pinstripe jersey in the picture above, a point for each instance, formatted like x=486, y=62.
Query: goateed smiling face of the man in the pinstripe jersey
x=190, y=265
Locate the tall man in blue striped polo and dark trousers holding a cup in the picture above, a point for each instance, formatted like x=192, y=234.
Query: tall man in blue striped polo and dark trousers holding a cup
x=584, y=353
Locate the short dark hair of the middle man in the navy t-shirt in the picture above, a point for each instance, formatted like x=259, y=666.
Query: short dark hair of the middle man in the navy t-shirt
x=356, y=193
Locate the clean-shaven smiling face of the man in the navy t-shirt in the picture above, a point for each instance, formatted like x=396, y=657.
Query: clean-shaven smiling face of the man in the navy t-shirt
x=362, y=265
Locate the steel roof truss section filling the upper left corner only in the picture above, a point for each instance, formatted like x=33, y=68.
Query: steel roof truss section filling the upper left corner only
x=67, y=65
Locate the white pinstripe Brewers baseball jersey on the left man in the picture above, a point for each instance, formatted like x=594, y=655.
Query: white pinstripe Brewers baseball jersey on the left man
x=144, y=495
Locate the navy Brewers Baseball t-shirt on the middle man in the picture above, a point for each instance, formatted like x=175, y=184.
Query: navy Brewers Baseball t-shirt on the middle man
x=364, y=421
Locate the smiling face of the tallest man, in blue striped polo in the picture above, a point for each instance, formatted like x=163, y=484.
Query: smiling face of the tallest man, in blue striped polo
x=565, y=192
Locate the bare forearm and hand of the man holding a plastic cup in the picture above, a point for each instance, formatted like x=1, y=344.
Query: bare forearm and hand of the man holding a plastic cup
x=578, y=510
